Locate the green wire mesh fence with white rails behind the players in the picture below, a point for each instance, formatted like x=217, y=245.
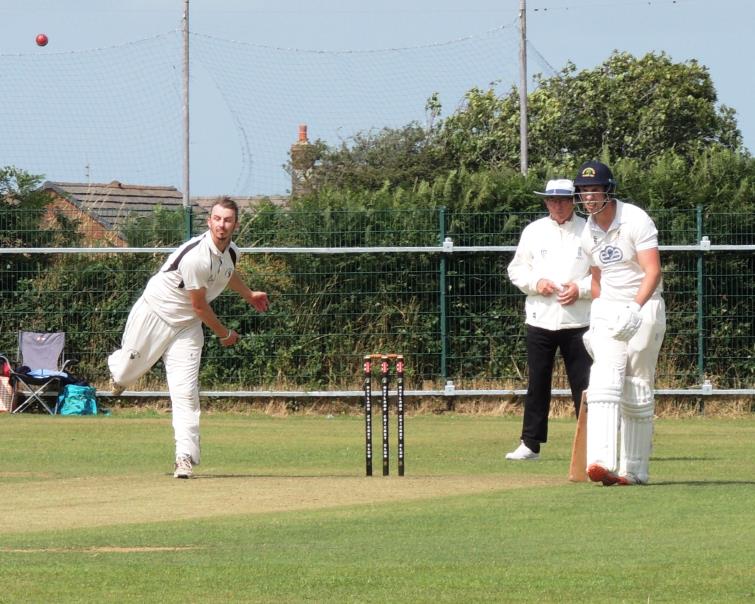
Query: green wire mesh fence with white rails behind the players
x=427, y=283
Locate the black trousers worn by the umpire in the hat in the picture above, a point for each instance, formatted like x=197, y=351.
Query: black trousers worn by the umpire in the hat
x=541, y=355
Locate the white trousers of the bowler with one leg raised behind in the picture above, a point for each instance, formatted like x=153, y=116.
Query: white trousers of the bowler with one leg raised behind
x=145, y=340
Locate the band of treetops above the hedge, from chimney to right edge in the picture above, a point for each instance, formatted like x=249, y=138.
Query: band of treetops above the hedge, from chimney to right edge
x=627, y=108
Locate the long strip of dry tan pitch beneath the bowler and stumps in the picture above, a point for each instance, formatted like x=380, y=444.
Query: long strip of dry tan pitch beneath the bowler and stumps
x=122, y=500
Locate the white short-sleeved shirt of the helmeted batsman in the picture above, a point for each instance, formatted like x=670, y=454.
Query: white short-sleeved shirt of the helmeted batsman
x=614, y=251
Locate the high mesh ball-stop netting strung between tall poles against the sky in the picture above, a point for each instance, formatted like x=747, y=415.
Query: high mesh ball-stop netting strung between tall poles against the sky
x=116, y=113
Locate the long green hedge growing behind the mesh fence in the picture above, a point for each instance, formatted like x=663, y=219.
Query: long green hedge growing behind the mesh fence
x=328, y=309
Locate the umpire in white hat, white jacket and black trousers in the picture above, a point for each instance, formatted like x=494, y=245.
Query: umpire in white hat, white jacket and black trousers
x=552, y=270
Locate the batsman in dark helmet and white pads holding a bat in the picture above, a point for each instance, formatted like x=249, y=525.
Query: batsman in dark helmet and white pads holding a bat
x=627, y=325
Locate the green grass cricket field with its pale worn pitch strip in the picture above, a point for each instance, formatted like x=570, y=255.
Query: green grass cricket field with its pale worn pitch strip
x=281, y=512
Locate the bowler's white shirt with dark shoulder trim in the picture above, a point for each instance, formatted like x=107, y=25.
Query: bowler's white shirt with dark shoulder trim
x=195, y=264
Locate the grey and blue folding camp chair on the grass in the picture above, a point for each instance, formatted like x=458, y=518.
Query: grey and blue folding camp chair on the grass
x=40, y=369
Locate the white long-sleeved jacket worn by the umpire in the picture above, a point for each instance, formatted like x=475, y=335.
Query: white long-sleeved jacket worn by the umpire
x=548, y=250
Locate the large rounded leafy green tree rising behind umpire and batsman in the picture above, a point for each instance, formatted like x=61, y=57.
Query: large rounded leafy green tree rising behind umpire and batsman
x=626, y=107
